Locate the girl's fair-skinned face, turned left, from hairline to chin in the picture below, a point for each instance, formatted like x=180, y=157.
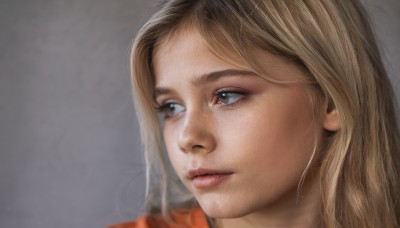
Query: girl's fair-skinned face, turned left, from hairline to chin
x=238, y=142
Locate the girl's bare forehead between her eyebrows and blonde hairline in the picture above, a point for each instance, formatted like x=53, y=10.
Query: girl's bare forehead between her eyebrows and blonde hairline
x=186, y=53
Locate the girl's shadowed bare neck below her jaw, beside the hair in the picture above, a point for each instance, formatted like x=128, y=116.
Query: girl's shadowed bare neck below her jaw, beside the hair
x=298, y=210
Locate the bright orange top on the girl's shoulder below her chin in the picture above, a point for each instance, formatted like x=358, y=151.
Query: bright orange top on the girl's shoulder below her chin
x=193, y=218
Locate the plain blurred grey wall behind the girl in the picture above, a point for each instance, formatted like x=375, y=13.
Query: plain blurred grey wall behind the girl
x=70, y=150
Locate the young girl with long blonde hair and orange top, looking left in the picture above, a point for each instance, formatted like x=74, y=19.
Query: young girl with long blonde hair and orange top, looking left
x=272, y=114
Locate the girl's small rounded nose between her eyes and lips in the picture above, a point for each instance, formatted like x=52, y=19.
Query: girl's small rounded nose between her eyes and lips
x=197, y=134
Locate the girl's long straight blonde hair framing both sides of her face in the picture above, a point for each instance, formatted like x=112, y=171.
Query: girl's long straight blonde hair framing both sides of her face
x=333, y=41
